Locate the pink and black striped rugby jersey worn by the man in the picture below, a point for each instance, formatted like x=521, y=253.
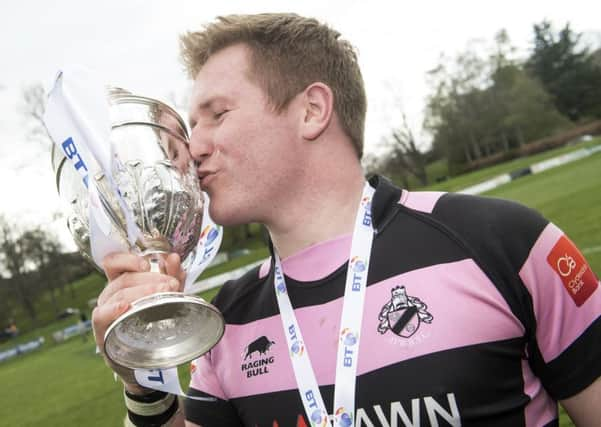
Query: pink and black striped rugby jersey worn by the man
x=478, y=312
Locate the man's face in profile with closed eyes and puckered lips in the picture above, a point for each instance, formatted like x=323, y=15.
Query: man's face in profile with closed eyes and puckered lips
x=246, y=151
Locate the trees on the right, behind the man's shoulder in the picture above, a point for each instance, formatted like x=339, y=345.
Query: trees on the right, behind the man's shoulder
x=487, y=102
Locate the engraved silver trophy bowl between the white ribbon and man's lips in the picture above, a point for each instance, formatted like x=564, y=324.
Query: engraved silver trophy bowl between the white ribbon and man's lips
x=165, y=199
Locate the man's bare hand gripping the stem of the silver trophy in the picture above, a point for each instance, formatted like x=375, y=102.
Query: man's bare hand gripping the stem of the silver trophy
x=130, y=279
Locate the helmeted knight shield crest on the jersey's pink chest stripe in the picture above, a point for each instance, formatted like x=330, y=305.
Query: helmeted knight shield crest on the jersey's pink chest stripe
x=403, y=314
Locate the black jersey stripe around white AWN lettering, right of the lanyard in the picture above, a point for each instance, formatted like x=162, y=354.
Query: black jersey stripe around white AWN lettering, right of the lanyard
x=485, y=382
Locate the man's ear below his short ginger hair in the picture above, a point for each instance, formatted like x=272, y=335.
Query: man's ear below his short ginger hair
x=318, y=107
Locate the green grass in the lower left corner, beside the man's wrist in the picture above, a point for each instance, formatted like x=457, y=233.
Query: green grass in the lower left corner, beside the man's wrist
x=64, y=385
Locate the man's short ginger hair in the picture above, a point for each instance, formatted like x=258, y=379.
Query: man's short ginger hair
x=287, y=54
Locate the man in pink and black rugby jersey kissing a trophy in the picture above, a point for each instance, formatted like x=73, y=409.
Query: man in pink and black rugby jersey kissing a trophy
x=449, y=310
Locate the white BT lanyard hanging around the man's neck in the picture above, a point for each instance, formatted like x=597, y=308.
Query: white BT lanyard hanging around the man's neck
x=350, y=327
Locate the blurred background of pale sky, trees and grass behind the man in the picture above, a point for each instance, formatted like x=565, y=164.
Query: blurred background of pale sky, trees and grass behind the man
x=495, y=98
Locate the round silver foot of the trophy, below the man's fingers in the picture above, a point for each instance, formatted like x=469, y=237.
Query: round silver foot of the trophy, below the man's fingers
x=162, y=331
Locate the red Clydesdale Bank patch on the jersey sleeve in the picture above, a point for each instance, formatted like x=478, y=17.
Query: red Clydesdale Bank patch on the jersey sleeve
x=573, y=270
